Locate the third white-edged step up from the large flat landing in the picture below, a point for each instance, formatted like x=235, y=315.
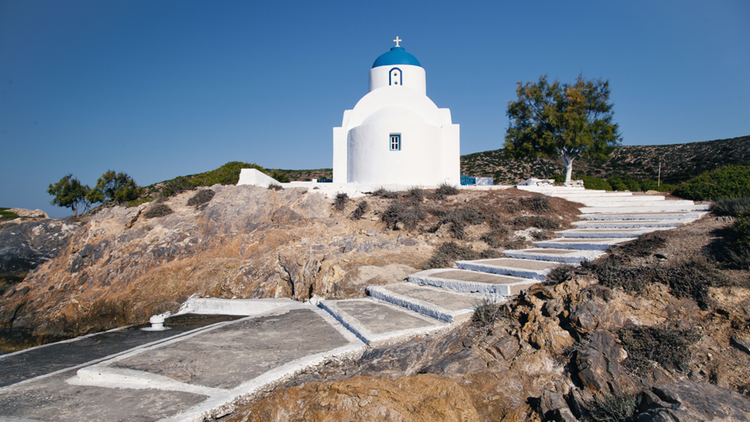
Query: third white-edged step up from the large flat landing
x=492, y=285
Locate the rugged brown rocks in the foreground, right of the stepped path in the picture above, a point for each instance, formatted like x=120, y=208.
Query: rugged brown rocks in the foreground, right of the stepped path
x=572, y=351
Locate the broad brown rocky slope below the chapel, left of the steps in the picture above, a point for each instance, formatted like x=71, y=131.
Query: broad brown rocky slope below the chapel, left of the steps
x=120, y=267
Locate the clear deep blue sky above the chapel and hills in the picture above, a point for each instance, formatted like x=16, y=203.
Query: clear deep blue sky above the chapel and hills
x=161, y=88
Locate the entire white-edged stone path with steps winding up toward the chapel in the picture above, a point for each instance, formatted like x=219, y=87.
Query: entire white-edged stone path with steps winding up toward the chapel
x=195, y=371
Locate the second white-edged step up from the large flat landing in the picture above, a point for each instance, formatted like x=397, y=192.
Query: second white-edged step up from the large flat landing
x=437, y=303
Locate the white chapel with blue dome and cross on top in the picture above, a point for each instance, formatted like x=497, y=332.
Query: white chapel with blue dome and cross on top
x=395, y=134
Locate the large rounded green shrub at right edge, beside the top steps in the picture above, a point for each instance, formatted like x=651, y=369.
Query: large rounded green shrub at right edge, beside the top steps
x=727, y=182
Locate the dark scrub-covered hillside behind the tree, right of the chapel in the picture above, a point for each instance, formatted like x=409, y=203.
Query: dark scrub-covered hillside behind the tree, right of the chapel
x=679, y=162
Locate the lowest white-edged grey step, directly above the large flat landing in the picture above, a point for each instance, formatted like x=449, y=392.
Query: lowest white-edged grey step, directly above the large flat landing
x=378, y=323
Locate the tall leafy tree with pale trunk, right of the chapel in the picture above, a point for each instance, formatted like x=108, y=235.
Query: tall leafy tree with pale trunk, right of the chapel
x=569, y=120
